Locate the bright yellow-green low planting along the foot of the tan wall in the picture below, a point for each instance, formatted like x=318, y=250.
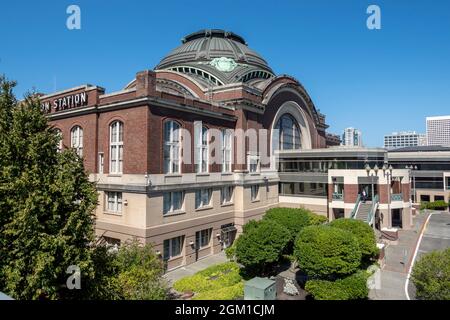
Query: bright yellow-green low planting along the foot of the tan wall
x=211, y=279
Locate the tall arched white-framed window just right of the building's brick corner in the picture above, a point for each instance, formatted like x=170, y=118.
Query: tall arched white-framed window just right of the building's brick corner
x=171, y=147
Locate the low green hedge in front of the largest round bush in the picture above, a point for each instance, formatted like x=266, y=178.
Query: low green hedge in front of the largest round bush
x=350, y=288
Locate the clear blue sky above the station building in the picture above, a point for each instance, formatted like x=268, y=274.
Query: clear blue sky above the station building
x=376, y=80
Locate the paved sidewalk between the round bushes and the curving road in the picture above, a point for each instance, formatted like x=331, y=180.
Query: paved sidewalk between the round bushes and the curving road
x=397, y=261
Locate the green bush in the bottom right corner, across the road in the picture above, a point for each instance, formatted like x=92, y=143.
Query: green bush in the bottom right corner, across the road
x=431, y=276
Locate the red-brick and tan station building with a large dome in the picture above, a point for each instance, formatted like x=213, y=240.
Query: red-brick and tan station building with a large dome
x=155, y=186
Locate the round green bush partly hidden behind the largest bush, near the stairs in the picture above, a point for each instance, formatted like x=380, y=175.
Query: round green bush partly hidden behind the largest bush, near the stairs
x=363, y=233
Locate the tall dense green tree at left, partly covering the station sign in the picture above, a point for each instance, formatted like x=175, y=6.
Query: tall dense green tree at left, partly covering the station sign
x=46, y=205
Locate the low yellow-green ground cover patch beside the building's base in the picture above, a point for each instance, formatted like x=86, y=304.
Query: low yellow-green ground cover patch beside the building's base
x=219, y=282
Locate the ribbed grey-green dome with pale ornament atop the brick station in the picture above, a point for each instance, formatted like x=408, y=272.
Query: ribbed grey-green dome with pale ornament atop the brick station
x=216, y=57
